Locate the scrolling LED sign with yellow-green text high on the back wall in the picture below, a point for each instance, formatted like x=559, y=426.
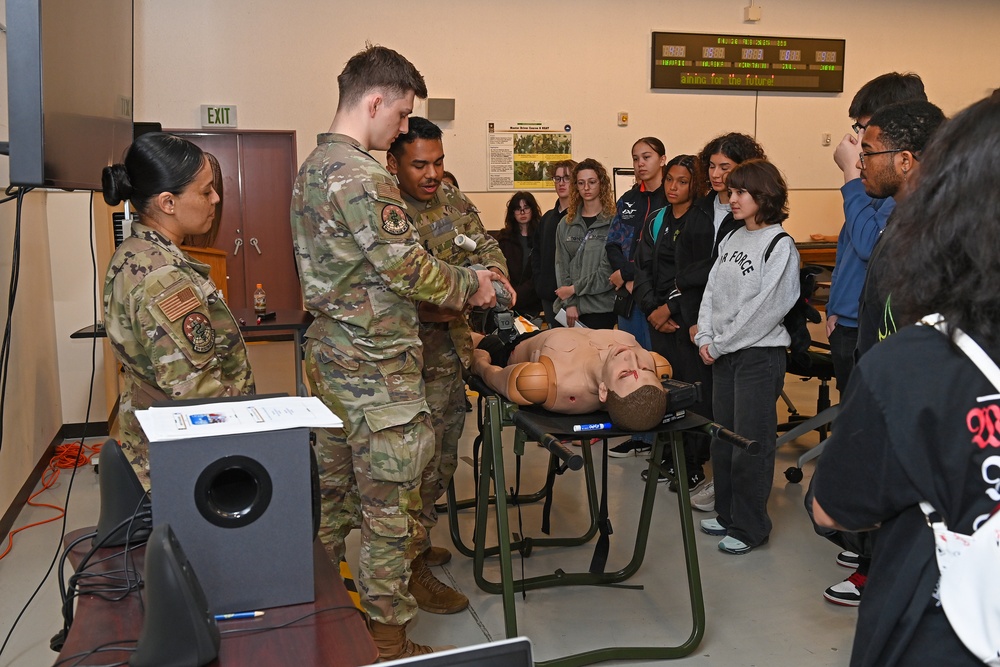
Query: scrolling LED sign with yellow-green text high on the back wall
x=695, y=61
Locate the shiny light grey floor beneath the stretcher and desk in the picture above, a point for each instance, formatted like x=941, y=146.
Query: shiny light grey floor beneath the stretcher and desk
x=765, y=608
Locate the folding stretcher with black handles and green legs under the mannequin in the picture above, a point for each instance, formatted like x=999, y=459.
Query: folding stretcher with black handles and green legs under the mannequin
x=534, y=424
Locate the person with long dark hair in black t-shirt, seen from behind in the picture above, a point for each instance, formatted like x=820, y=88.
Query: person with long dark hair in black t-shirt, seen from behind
x=918, y=422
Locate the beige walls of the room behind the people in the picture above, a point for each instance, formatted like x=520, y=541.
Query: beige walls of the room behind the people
x=578, y=63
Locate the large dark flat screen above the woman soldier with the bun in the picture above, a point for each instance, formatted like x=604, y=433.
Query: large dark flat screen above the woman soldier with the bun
x=69, y=72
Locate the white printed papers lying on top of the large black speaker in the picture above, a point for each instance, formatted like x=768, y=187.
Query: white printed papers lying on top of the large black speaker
x=252, y=416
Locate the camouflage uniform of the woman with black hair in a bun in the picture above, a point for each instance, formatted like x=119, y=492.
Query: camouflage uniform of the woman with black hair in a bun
x=171, y=331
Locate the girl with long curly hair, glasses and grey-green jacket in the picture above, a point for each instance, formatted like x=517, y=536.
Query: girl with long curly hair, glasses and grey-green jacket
x=582, y=268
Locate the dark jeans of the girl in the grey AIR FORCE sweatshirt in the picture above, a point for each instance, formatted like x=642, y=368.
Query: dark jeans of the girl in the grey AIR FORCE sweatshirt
x=747, y=385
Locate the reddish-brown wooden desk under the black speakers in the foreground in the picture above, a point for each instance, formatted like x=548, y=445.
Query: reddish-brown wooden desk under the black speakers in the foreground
x=336, y=638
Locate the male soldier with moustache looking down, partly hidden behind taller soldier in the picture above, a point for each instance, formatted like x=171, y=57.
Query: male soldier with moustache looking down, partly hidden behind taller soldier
x=440, y=212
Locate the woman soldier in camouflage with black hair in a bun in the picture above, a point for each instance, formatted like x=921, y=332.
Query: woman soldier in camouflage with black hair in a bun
x=165, y=319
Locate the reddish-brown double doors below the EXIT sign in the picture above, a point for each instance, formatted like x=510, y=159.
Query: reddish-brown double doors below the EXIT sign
x=258, y=169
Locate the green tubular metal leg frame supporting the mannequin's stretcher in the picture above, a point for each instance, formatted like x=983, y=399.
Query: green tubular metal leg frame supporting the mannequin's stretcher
x=499, y=413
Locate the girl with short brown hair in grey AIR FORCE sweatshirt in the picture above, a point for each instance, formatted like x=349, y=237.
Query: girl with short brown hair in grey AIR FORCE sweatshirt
x=754, y=282
